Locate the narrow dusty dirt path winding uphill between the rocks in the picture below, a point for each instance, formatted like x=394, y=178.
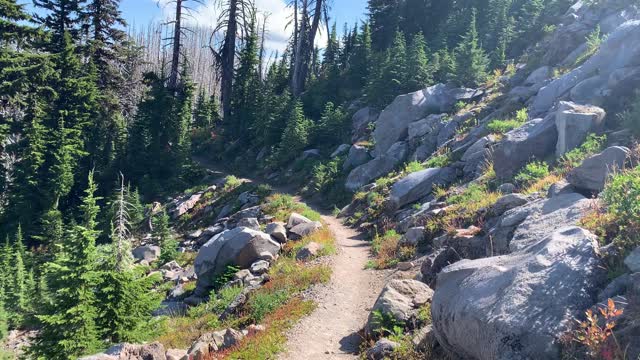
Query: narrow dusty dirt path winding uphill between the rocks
x=332, y=330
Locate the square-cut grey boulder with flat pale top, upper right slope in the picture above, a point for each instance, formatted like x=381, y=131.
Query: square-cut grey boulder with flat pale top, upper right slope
x=574, y=123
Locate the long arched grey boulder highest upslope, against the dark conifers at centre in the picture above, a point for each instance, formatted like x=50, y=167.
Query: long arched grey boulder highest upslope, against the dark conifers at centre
x=394, y=120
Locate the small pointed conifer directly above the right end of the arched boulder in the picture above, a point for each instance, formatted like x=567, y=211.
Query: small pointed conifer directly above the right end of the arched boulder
x=471, y=60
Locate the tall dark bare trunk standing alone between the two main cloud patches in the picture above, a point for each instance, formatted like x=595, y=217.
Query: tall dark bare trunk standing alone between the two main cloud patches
x=228, y=59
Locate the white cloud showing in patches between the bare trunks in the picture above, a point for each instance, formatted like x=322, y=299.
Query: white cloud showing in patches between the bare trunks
x=280, y=15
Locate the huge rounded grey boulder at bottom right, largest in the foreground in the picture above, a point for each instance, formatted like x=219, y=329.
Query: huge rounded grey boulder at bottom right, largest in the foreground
x=516, y=306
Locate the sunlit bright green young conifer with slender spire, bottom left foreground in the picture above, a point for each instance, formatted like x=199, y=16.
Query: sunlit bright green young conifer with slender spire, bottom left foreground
x=69, y=326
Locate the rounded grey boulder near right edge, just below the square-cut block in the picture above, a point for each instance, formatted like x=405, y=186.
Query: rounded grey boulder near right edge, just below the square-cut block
x=593, y=173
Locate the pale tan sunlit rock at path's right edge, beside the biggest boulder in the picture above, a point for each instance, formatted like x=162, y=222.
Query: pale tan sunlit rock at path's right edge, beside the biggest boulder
x=400, y=299
